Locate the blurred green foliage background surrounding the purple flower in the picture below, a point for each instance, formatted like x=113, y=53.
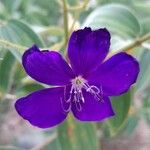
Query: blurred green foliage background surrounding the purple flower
x=27, y=22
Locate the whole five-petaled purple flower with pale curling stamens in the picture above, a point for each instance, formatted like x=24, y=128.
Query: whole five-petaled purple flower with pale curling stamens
x=83, y=87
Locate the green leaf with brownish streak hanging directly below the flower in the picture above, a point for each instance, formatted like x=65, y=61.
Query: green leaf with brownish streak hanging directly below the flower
x=75, y=135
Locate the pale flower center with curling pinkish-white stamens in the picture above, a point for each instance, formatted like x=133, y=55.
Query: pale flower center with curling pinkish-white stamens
x=76, y=94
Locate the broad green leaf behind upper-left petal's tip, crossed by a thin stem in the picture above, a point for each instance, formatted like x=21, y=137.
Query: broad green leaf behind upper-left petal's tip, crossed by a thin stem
x=17, y=32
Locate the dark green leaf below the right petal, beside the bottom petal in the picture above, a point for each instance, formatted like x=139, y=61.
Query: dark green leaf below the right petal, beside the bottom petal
x=121, y=105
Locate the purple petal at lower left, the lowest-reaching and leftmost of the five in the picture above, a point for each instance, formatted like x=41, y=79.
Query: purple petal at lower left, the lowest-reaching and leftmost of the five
x=42, y=108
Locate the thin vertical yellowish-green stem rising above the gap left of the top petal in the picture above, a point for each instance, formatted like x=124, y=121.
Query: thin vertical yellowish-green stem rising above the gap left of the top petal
x=65, y=17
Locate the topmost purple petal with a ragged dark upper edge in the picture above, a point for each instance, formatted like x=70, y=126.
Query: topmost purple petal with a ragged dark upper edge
x=87, y=49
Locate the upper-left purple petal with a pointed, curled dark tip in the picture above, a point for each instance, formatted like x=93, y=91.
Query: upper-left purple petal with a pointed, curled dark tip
x=47, y=67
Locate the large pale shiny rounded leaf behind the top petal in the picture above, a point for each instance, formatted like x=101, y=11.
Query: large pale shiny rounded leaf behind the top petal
x=119, y=19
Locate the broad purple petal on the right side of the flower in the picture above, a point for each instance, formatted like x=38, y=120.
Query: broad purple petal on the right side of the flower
x=116, y=75
